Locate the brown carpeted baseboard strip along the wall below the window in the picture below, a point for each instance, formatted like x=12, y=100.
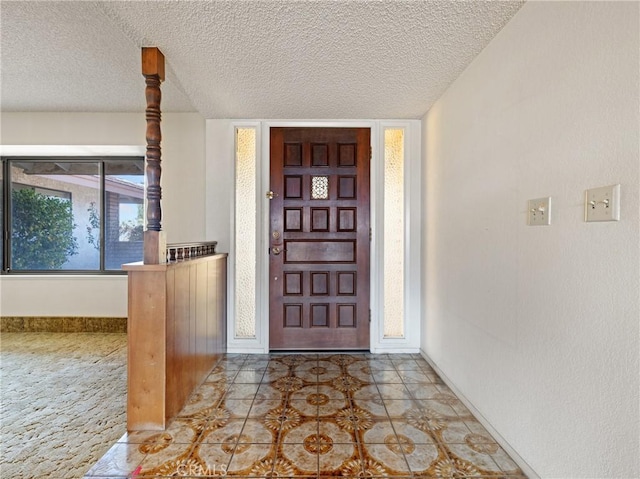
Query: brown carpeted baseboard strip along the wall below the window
x=59, y=324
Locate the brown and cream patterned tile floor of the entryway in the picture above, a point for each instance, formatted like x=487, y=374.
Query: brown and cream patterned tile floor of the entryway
x=315, y=416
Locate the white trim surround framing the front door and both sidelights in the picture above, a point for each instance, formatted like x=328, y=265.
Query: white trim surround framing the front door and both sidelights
x=221, y=179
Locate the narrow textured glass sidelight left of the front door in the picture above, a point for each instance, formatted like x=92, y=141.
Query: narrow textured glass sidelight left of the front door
x=245, y=242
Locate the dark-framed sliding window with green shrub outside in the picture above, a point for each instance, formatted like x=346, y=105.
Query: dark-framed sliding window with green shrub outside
x=71, y=214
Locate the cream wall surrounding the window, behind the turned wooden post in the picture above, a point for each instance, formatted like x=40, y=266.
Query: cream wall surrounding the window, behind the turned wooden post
x=183, y=204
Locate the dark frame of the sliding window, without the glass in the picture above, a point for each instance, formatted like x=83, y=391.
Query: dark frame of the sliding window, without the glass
x=6, y=204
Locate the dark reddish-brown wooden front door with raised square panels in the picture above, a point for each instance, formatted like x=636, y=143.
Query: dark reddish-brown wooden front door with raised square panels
x=319, y=238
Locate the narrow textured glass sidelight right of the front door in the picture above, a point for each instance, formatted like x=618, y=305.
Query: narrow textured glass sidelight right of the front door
x=394, y=233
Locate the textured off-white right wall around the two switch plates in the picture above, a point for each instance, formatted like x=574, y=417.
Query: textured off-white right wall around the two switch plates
x=538, y=327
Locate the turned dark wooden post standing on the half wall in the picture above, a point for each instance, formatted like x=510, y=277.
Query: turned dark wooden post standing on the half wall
x=153, y=71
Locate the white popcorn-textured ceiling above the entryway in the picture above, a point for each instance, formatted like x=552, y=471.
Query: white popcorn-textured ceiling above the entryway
x=244, y=59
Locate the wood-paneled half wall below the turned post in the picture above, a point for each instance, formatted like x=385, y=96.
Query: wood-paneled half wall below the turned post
x=176, y=333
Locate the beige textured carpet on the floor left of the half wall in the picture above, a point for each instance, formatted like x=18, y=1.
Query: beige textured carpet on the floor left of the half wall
x=63, y=402
